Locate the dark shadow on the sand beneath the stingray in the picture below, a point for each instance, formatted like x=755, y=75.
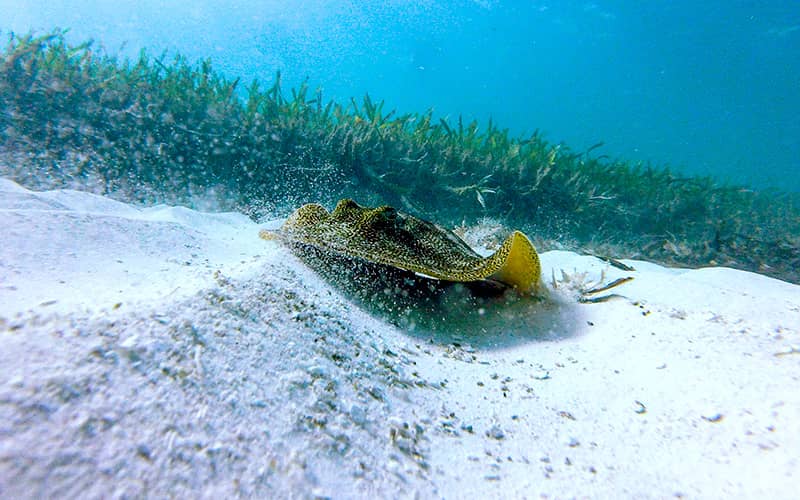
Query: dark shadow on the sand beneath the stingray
x=485, y=314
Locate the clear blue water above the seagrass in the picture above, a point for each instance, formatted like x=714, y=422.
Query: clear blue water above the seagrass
x=709, y=87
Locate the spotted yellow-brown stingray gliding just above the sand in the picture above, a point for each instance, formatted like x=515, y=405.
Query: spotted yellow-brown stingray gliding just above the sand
x=385, y=236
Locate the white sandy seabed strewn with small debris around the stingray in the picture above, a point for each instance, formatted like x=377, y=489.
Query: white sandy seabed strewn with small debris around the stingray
x=171, y=352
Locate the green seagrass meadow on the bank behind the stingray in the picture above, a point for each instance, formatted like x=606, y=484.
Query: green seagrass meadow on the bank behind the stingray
x=165, y=129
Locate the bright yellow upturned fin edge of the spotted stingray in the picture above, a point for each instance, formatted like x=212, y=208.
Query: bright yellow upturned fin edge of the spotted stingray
x=519, y=264
